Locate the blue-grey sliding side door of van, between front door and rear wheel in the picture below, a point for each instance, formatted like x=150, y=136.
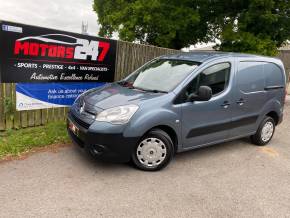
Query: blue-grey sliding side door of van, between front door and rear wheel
x=249, y=97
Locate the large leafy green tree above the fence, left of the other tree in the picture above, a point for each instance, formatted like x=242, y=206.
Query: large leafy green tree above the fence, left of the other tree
x=173, y=24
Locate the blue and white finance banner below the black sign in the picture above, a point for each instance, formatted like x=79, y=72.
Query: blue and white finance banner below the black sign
x=31, y=96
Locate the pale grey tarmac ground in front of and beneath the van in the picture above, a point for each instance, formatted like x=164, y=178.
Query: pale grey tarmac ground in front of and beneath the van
x=235, y=179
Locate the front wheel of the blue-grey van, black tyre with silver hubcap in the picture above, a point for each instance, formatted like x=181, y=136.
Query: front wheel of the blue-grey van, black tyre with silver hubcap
x=154, y=151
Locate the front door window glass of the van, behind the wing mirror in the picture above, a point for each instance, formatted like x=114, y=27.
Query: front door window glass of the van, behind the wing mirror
x=216, y=77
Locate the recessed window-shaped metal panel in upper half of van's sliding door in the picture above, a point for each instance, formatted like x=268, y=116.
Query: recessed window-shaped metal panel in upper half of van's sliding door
x=250, y=76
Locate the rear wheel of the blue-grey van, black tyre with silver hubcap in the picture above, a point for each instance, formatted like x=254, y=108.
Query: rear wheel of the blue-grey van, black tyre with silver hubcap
x=265, y=132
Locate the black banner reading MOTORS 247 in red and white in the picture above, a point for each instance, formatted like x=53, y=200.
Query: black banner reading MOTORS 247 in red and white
x=35, y=54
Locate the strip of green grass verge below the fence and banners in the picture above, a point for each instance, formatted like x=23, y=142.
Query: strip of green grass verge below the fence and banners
x=15, y=142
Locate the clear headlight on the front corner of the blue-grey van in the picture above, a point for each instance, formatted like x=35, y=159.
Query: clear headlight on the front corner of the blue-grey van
x=117, y=115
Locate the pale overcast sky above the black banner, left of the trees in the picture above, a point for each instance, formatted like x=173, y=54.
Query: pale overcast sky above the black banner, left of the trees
x=59, y=14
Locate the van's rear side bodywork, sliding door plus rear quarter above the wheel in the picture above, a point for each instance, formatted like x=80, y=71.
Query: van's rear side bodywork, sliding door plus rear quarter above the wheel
x=261, y=86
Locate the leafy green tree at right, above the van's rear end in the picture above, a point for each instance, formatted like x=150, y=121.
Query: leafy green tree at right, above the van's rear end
x=258, y=26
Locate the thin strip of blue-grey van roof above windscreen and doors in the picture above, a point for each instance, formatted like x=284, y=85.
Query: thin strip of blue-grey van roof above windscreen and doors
x=205, y=56
